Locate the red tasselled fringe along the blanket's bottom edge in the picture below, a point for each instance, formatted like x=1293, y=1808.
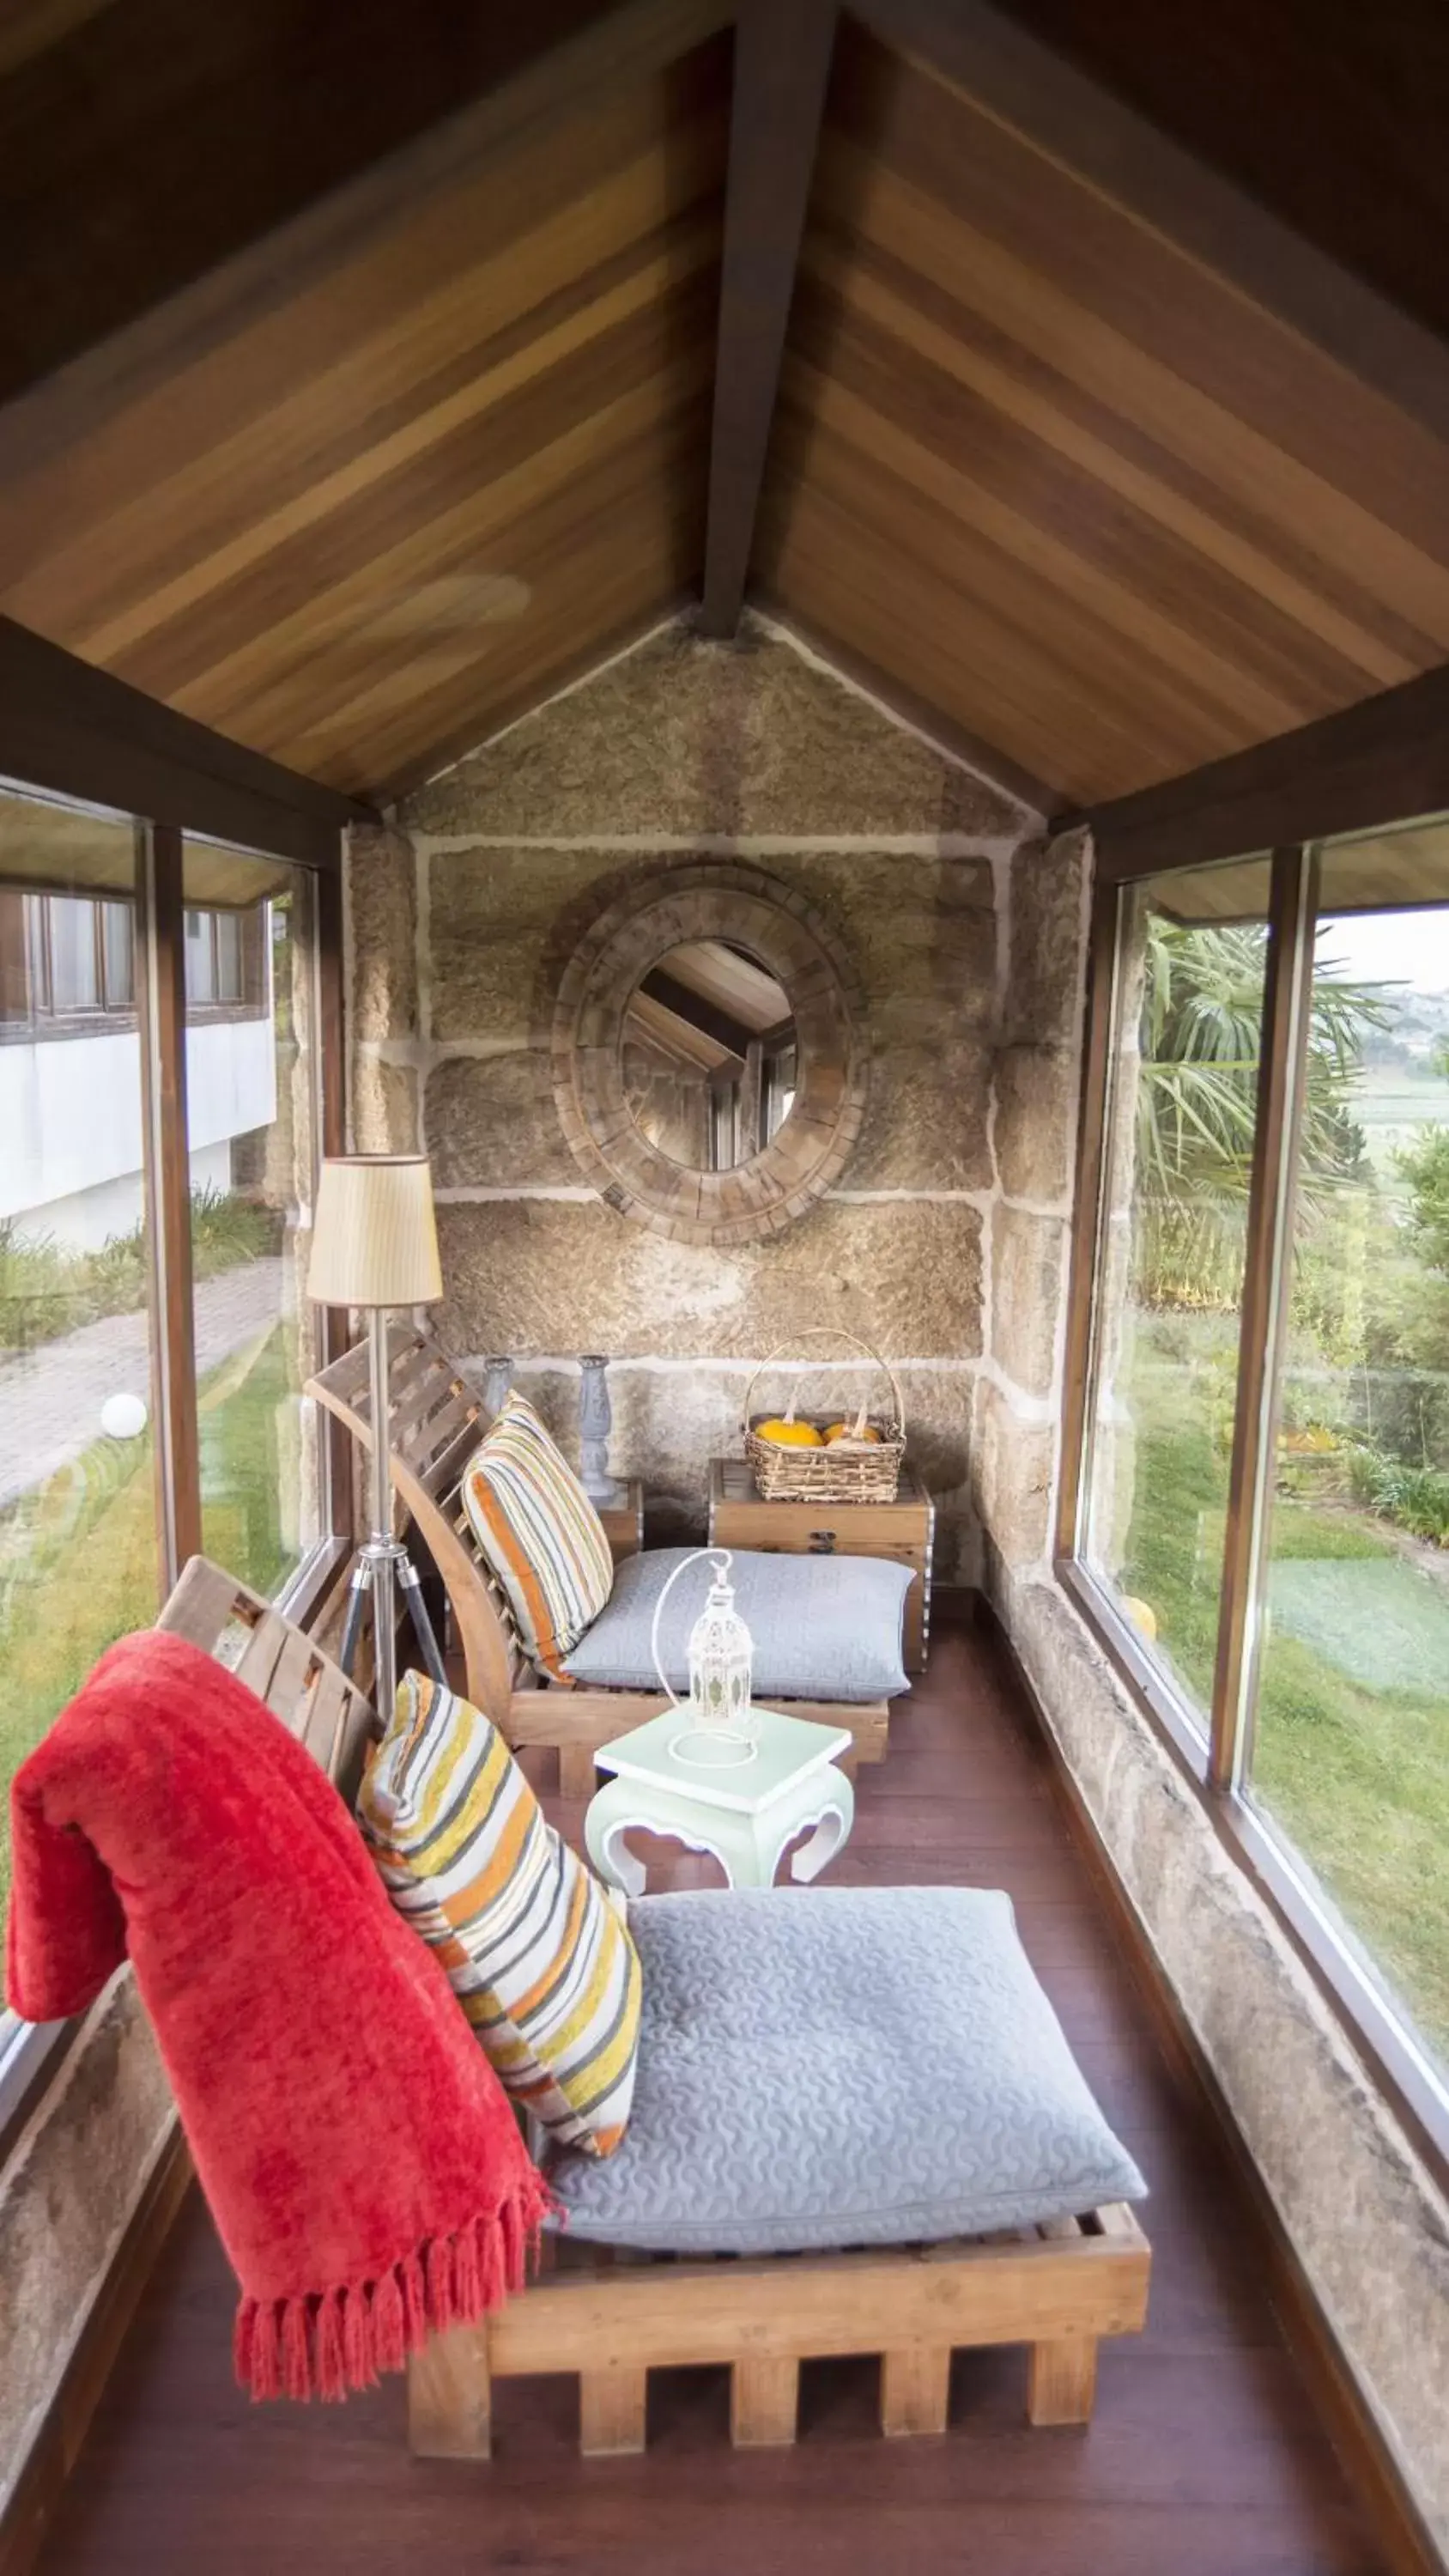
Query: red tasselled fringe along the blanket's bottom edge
x=331, y=2343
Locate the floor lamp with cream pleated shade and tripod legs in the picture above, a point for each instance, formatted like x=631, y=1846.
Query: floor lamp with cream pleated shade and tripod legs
x=374, y=1245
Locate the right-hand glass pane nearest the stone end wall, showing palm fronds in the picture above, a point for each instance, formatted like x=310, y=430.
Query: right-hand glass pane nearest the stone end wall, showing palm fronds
x=1170, y=1271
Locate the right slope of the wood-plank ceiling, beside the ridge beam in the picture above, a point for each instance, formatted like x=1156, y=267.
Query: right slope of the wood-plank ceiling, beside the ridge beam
x=1059, y=478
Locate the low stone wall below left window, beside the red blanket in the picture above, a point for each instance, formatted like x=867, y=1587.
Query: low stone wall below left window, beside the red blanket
x=68, y=2193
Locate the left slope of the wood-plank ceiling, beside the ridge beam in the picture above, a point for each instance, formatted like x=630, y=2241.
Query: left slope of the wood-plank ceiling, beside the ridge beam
x=387, y=501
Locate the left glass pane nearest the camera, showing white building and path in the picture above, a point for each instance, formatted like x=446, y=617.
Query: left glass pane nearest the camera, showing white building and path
x=78, y=1529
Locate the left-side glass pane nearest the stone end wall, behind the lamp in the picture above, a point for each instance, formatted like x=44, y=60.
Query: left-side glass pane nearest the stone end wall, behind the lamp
x=254, y=1142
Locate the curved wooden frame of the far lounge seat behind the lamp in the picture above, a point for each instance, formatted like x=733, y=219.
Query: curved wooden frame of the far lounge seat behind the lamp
x=436, y=1426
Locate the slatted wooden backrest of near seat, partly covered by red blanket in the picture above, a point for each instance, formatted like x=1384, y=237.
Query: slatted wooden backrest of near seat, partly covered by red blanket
x=290, y=1673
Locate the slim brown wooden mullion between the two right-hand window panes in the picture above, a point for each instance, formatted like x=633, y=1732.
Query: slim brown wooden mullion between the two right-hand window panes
x=1268, y=1292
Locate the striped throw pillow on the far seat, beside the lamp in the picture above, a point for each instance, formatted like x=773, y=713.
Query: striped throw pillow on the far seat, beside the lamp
x=539, y=1534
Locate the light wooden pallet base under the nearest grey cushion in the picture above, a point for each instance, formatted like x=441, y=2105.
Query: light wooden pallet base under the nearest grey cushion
x=611, y=2320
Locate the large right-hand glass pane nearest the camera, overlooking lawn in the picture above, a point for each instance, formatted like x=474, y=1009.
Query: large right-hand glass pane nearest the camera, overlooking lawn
x=1350, y=1753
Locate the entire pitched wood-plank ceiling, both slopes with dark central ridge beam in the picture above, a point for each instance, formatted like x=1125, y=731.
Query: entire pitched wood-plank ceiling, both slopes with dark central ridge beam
x=1105, y=480
